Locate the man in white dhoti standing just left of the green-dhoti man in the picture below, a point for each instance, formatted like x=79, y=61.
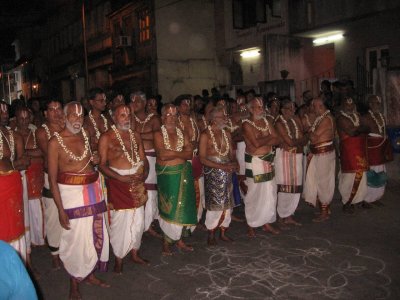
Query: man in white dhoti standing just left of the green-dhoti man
x=146, y=125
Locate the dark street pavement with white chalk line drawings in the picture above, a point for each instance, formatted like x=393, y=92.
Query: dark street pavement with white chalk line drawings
x=347, y=257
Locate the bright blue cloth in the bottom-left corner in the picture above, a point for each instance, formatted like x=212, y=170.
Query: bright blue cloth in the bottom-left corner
x=15, y=282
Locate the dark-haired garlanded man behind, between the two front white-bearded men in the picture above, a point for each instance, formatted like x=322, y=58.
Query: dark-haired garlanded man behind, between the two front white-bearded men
x=95, y=123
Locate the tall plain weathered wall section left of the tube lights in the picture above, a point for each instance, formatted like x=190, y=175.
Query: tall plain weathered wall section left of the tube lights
x=186, y=56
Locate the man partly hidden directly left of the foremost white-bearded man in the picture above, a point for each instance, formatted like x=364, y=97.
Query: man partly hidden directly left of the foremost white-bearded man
x=54, y=119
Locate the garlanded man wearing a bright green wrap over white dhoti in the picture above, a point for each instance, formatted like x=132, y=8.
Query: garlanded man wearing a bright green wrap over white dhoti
x=176, y=195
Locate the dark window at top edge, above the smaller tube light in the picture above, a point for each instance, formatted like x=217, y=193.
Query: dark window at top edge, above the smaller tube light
x=248, y=13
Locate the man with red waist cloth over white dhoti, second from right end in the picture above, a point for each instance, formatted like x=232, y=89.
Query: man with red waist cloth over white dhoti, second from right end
x=353, y=156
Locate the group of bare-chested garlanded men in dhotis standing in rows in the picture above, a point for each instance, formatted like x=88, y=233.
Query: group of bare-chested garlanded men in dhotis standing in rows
x=105, y=177
